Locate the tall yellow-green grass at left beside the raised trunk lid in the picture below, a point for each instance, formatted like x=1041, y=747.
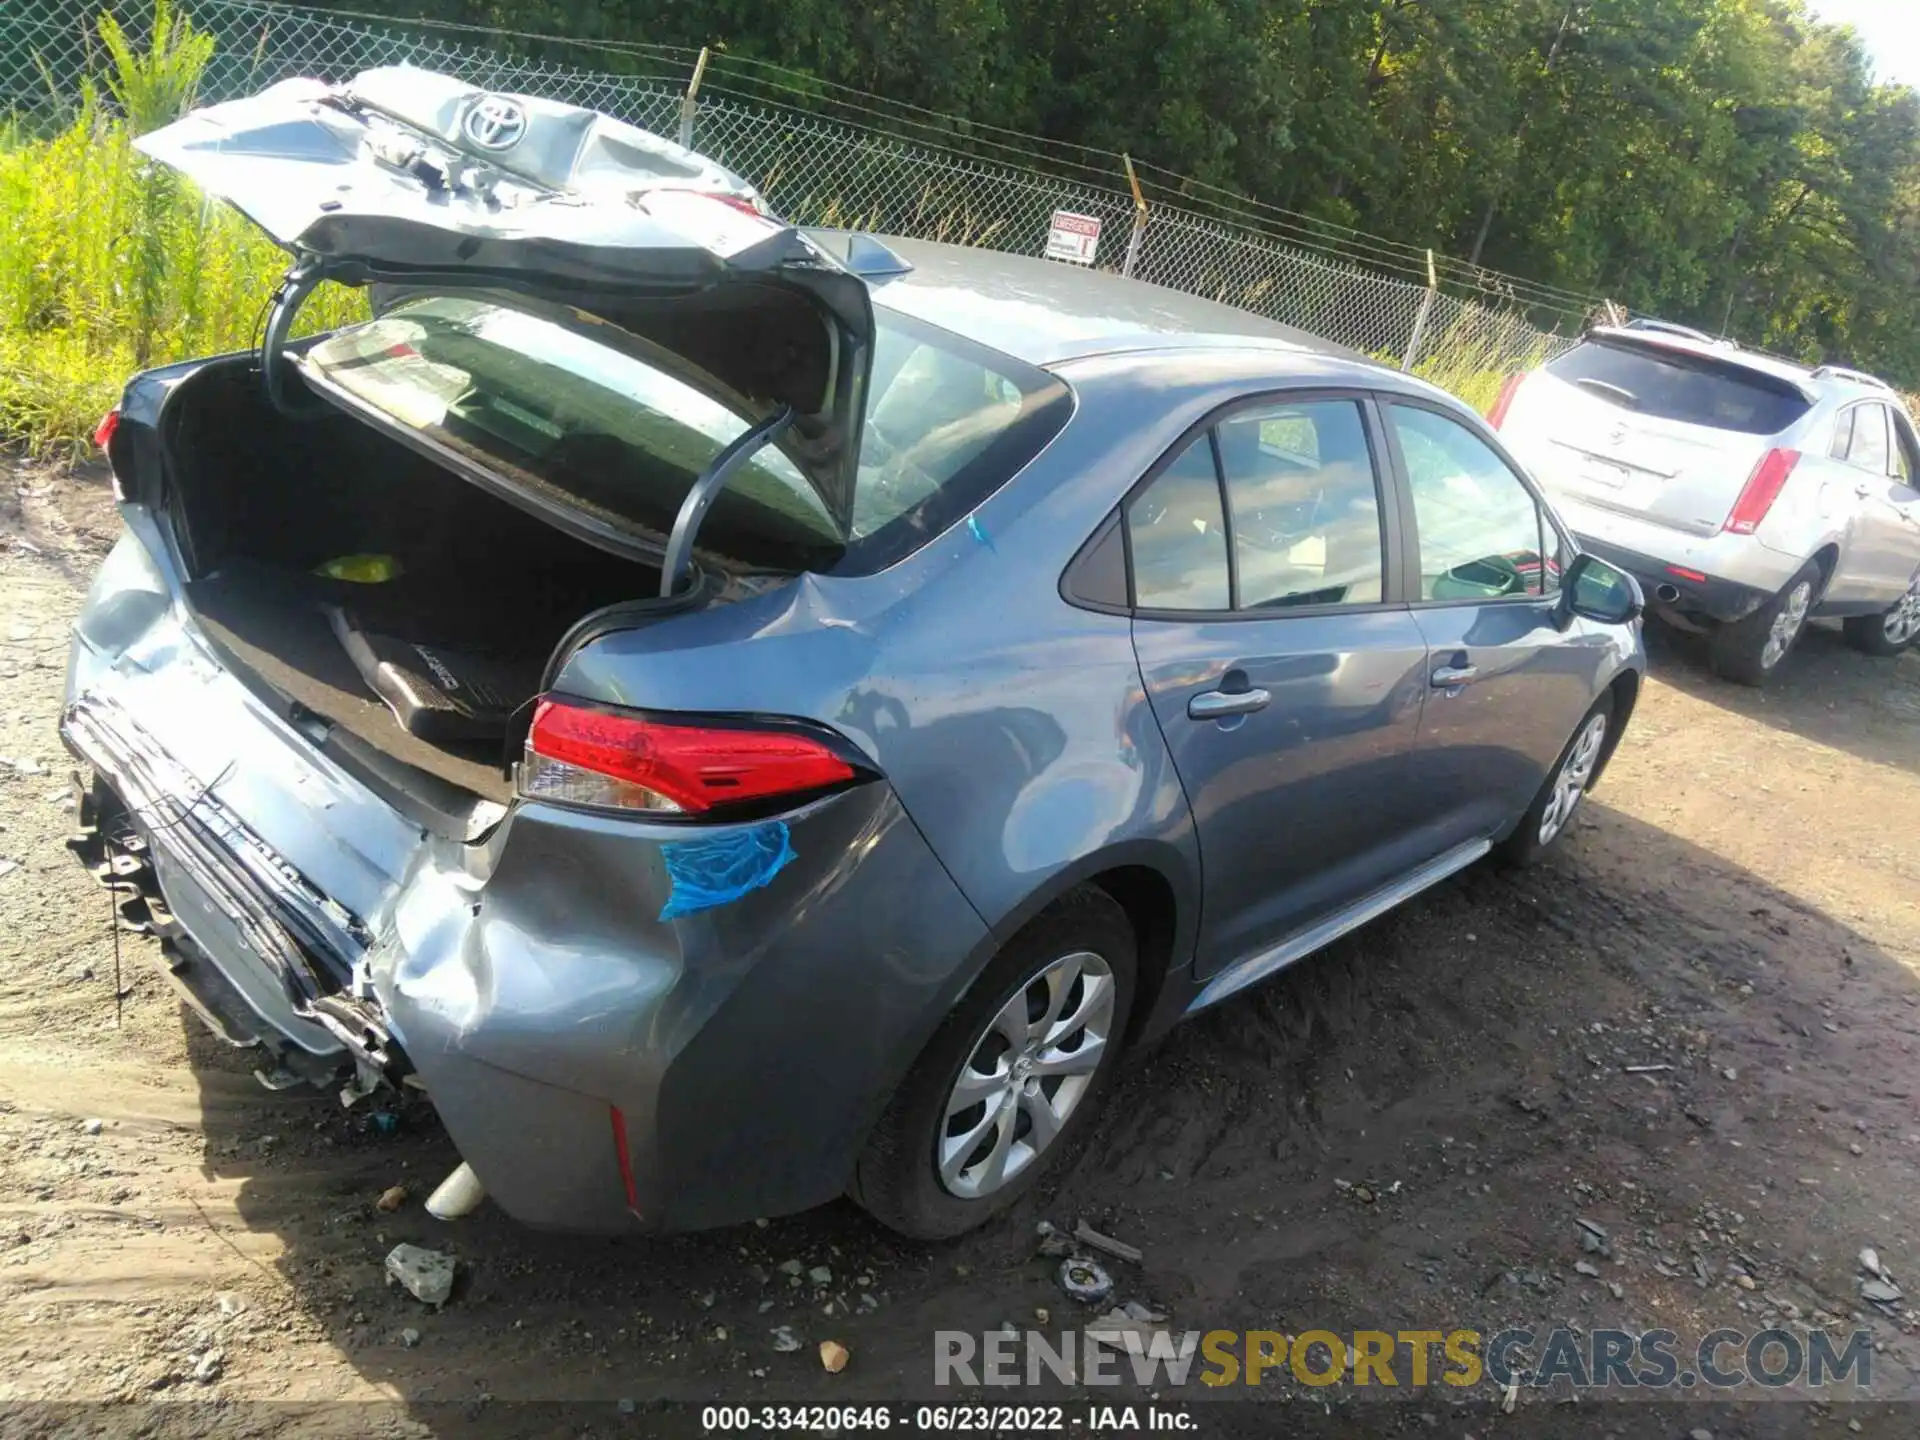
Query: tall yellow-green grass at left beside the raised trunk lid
x=112, y=264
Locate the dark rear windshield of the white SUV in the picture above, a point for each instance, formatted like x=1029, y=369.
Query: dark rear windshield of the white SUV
x=1677, y=387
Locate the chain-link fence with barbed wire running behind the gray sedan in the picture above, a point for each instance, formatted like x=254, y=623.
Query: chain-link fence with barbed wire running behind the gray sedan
x=863, y=164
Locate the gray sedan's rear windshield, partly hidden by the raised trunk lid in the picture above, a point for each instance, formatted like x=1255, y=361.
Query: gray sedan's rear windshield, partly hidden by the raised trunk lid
x=558, y=406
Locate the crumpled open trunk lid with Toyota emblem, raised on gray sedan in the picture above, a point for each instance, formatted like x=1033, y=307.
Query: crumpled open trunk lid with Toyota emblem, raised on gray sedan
x=410, y=180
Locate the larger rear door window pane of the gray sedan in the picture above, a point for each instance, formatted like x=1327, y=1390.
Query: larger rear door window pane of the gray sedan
x=1307, y=516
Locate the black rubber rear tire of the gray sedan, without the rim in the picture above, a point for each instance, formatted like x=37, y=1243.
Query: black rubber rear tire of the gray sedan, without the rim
x=898, y=1180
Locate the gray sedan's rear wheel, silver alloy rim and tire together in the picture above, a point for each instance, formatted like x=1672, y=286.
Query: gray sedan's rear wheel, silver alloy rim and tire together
x=1011, y=1078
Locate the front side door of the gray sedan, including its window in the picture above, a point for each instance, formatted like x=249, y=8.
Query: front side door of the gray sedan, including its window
x=1506, y=684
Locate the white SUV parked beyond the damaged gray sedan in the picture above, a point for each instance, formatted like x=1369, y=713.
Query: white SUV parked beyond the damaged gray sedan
x=1748, y=494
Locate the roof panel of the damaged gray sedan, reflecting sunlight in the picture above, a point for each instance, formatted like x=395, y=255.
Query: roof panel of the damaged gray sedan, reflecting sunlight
x=1049, y=312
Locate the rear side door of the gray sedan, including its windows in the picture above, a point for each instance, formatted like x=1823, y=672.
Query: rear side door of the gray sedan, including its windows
x=1282, y=661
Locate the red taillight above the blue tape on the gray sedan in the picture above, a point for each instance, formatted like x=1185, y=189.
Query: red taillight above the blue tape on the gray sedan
x=627, y=761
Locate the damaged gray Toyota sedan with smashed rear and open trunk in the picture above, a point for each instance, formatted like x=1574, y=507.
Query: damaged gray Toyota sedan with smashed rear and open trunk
x=742, y=715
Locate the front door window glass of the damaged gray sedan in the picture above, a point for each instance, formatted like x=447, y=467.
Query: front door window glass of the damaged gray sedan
x=1481, y=531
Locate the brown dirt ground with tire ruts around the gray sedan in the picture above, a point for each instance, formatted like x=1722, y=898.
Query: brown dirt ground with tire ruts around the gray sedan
x=1399, y=1134
